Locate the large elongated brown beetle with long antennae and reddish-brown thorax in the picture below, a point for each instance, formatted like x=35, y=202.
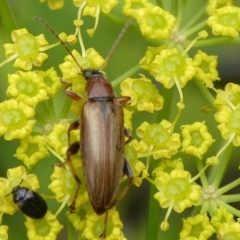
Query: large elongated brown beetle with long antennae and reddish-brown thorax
x=102, y=135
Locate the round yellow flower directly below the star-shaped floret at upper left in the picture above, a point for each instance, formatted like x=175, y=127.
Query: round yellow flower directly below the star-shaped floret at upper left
x=27, y=87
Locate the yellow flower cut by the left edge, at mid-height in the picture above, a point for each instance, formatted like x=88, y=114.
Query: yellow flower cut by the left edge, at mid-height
x=15, y=119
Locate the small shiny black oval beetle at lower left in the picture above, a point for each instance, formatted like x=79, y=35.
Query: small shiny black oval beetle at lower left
x=29, y=202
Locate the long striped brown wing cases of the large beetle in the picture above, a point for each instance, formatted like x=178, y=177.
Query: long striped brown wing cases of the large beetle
x=102, y=149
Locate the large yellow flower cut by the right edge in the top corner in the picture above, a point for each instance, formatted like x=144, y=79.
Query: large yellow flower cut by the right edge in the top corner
x=225, y=21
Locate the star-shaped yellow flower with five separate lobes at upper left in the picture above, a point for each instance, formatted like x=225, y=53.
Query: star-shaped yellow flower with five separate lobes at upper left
x=26, y=49
